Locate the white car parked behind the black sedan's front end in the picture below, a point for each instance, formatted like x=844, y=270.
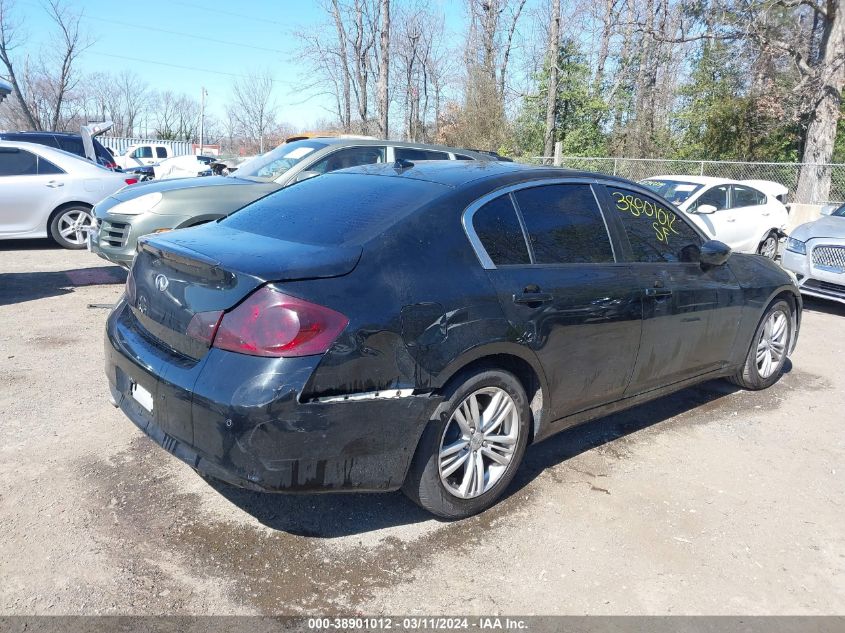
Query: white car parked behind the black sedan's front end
x=748, y=216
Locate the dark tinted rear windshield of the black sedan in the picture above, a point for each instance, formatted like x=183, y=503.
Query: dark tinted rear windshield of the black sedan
x=335, y=209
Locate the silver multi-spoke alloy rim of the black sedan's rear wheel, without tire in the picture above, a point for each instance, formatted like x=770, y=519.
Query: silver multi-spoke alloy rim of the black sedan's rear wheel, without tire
x=478, y=443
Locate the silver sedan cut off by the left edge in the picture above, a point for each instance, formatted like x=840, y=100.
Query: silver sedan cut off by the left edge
x=46, y=192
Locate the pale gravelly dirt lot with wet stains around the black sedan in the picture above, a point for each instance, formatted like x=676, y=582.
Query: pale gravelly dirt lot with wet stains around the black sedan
x=710, y=501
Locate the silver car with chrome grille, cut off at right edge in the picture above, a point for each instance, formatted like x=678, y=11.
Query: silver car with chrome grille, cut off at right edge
x=815, y=252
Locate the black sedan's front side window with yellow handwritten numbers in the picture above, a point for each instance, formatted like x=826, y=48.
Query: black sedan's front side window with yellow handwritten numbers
x=656, y=232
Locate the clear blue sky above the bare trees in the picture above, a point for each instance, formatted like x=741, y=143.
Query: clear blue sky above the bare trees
x=185, y=45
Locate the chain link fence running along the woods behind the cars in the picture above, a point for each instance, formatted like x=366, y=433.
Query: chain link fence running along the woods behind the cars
x=639, y=168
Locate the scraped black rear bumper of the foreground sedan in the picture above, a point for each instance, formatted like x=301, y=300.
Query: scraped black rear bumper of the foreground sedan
x=239, y=418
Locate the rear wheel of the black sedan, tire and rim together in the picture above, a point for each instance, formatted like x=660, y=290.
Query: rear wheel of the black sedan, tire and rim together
x=466, y=458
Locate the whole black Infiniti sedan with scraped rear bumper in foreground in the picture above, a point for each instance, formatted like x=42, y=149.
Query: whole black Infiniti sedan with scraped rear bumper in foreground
x=417, y=326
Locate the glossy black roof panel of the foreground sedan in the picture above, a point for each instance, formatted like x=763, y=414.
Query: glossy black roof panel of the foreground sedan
x=455, y=173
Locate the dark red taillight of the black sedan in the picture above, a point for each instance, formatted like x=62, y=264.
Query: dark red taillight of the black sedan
x=270, y=323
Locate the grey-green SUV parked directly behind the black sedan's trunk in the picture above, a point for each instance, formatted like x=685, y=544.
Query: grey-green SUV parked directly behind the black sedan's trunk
x=173, y=204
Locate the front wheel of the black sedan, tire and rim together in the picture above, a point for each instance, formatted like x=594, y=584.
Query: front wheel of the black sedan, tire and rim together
x=769, y=348
